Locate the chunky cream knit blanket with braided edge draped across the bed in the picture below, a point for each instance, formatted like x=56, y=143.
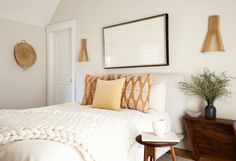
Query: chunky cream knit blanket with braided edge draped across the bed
x=97, y=137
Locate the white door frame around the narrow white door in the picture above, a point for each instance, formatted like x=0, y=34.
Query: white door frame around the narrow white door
x=50, y=30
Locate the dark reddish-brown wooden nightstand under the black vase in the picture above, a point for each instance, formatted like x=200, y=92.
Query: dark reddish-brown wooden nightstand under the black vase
x=211, y=140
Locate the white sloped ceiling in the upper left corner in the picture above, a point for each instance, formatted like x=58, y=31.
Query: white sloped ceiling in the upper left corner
x=35, y=12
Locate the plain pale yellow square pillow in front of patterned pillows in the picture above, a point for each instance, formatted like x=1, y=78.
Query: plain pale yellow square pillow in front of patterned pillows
x=108, y=94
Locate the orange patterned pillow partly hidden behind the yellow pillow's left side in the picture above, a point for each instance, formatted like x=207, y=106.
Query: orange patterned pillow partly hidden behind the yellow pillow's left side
x=90, y=86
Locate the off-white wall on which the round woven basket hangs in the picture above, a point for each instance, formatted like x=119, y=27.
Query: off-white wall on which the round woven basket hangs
x=19, y=88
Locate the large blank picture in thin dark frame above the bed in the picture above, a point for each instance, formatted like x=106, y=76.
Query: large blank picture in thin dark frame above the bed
x=138, y=43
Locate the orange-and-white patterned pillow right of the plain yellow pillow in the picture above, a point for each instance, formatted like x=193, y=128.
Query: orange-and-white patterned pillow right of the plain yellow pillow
x=137, y=92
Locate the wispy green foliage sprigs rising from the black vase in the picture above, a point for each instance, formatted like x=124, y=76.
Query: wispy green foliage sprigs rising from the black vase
x=208, y=86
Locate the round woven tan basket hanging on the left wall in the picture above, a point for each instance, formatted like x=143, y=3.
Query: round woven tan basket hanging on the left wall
x=25, y=54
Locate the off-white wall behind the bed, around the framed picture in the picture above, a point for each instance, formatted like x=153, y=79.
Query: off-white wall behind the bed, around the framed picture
x=188, y=27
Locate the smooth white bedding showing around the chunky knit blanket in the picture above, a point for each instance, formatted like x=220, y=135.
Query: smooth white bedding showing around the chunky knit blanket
x=42, y=150
